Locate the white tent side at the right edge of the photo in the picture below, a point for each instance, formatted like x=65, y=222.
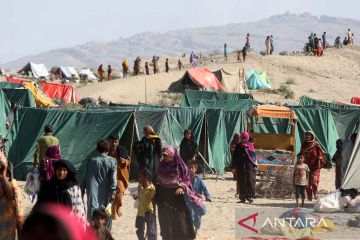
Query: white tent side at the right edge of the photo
x=351, y=178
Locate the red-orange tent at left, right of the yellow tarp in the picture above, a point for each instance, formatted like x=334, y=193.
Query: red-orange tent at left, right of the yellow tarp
x=57, y=90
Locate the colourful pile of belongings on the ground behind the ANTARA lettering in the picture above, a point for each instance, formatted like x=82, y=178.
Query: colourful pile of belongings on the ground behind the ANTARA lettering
x=298, y=223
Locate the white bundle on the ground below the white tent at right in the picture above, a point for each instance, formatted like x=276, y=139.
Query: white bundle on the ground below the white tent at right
x=338, y=201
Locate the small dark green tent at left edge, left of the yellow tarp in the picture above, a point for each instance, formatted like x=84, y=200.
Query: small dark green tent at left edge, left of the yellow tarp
x=22, y=97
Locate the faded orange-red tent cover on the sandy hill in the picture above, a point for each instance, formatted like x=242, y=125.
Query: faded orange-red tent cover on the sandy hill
x=203, y=77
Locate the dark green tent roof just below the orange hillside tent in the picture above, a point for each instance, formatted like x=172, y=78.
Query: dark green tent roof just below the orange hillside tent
x=192, y=98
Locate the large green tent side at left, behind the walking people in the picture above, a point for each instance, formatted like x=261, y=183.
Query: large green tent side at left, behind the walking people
x=78, y=132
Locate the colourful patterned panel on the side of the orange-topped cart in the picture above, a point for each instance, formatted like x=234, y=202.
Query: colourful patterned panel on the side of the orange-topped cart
x=277, y=157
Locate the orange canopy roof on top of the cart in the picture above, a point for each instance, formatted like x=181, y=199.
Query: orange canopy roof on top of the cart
x=272, y=111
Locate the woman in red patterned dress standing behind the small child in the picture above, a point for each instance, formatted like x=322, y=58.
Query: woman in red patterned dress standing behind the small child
x=314, y=158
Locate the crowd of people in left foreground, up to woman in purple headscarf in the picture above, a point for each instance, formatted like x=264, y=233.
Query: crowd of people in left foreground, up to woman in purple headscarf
x=167, y=183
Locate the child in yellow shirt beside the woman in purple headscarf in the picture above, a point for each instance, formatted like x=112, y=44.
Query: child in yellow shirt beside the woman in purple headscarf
x=146, y=212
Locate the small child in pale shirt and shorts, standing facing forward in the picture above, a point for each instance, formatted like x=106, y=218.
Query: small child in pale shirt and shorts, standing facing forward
x=301, y=179
